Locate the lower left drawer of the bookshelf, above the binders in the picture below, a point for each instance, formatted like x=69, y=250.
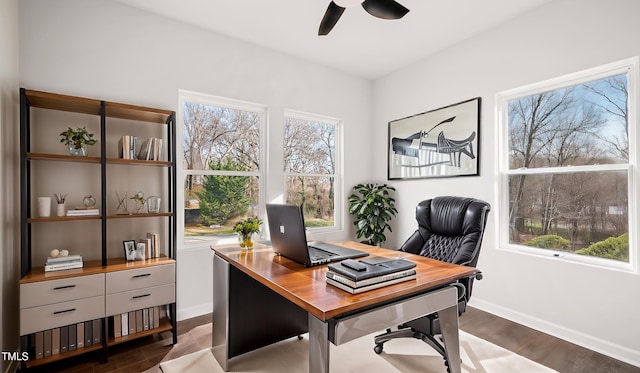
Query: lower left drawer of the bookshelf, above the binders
x=60, y=314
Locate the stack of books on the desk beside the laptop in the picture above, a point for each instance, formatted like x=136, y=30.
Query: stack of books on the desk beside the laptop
x=370, y=273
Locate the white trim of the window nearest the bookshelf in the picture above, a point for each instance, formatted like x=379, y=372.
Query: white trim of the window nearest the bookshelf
x=181, y=172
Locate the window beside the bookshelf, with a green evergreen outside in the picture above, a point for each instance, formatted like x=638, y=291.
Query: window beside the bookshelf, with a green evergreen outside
x=222, y=165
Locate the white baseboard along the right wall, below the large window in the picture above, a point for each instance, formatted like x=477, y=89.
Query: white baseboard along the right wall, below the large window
x=604, y=347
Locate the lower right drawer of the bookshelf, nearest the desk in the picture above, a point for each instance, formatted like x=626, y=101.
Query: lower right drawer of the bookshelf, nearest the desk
x=140, y=298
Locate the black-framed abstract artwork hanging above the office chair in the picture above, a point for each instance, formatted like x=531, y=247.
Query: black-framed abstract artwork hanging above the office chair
x=438, y=143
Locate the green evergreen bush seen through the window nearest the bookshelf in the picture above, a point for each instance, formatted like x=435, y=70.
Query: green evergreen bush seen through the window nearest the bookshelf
x=224, y=197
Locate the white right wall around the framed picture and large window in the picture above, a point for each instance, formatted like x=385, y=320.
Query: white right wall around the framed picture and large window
x=594, y=307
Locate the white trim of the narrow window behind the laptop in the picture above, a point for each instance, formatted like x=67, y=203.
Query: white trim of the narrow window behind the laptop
x=338, y=176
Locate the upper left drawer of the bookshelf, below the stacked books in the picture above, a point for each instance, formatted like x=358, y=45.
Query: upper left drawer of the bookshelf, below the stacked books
x=56, y=291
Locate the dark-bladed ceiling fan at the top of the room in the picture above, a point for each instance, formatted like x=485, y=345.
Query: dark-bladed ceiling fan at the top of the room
x=385, y=9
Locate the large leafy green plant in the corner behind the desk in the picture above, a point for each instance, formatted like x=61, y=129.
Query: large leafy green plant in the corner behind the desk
x=373, y=207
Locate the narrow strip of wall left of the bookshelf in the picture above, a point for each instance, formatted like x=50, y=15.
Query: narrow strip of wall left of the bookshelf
x=9, y=171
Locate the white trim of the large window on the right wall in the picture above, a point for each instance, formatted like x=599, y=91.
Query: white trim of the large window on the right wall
x=631, y=66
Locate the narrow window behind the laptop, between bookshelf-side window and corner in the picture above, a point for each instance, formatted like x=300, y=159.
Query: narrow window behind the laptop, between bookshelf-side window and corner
x=311, y=162
